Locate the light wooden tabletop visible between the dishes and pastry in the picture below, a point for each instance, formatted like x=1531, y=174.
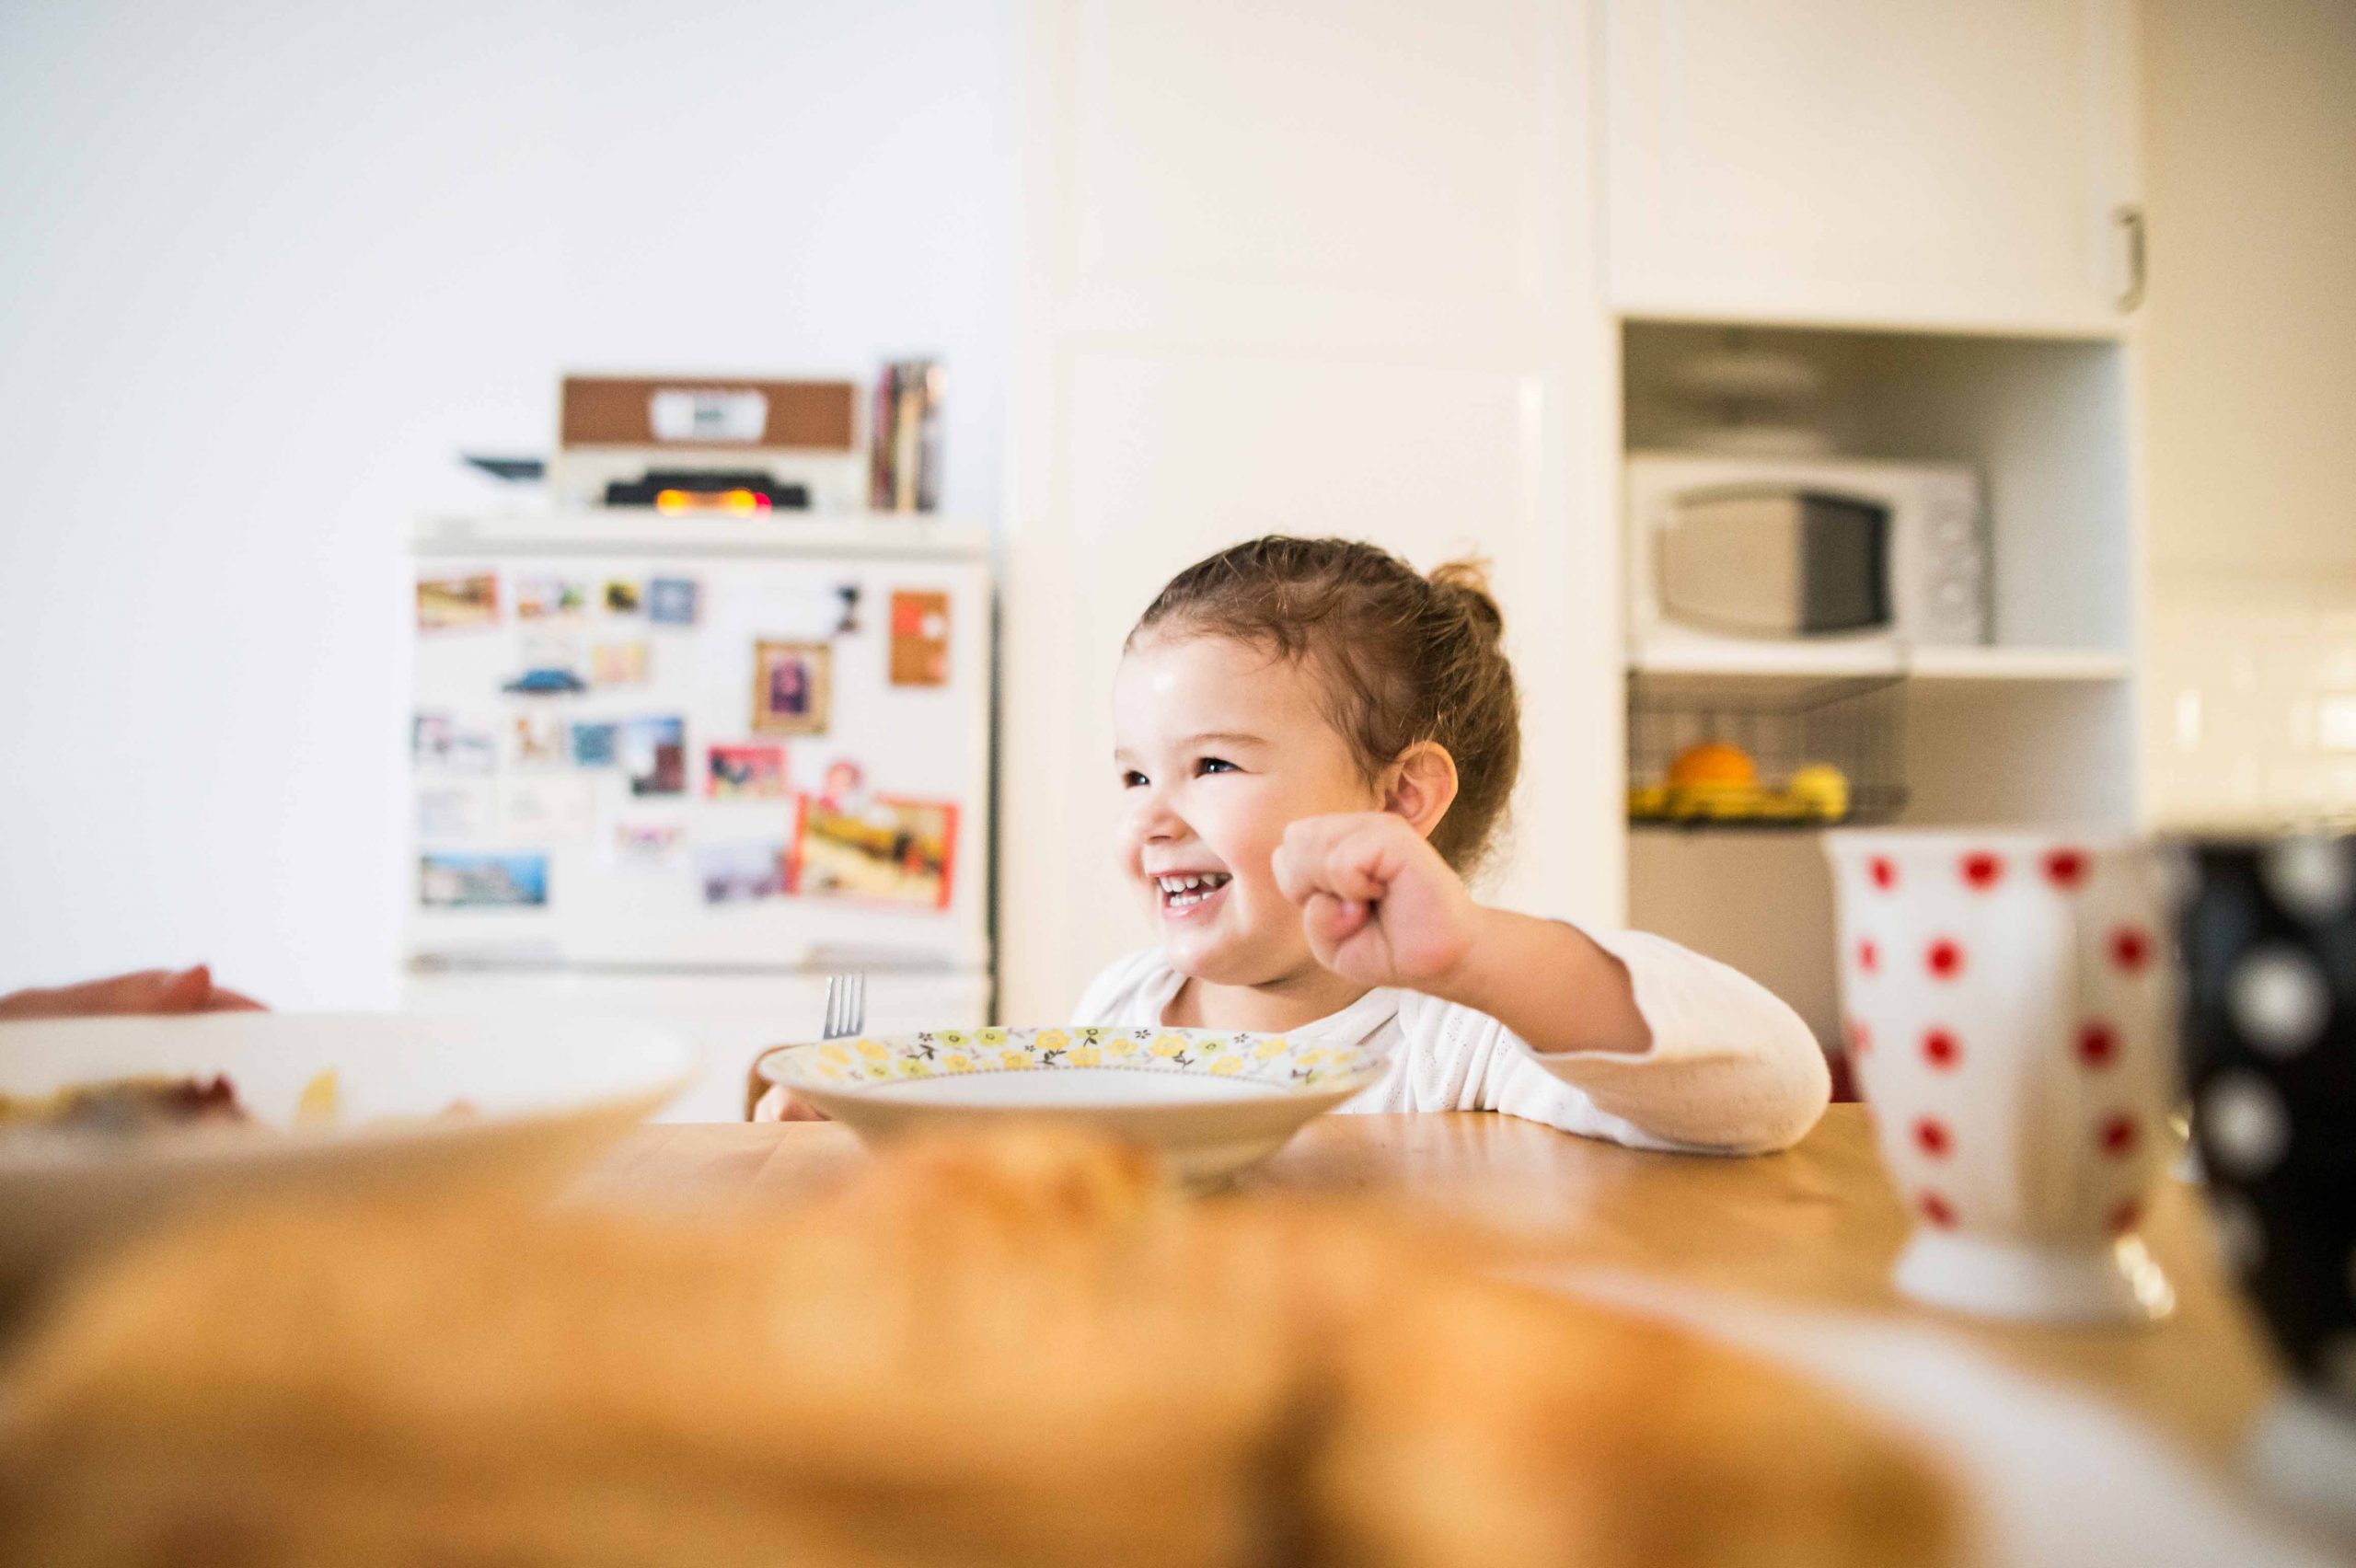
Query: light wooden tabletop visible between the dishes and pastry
x=1808, y=1228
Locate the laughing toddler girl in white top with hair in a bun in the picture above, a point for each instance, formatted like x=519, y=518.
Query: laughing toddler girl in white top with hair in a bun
x=1316, y=745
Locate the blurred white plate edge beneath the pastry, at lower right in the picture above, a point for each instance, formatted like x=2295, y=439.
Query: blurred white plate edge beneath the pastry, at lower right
x=2056, y=1477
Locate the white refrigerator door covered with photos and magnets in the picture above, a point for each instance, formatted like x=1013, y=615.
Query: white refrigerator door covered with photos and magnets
x=687, y=766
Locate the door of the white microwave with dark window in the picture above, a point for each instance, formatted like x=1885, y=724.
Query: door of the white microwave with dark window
x=1775, y=564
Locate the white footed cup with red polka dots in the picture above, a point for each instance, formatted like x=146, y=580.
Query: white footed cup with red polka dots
x=2011, y=1016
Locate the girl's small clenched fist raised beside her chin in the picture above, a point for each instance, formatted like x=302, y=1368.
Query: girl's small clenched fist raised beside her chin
x=1377, y=901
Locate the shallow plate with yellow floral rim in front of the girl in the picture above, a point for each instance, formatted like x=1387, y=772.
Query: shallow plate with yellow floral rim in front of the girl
x=1207, y=1101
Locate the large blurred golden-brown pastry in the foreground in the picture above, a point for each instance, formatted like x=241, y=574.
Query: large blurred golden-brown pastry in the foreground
x=1017, y=1350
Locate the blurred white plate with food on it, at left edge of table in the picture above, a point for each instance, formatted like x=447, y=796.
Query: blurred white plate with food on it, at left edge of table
x=543, y=1096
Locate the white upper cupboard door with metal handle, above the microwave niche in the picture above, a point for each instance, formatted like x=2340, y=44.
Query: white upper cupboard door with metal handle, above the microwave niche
x=1940, y=164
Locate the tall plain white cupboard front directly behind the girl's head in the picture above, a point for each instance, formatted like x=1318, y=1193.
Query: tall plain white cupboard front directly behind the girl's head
x=1299, y=267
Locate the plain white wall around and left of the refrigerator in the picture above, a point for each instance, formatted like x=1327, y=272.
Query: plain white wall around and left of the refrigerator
x=265, y=267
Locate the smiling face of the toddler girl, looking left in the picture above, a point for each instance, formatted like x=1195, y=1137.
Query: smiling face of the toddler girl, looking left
x=1217, y=750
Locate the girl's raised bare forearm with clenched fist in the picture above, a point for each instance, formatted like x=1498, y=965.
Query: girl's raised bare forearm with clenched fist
x=1384, y=910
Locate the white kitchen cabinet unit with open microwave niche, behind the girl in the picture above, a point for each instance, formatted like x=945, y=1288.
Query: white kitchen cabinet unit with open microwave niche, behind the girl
x=1434, y=274
